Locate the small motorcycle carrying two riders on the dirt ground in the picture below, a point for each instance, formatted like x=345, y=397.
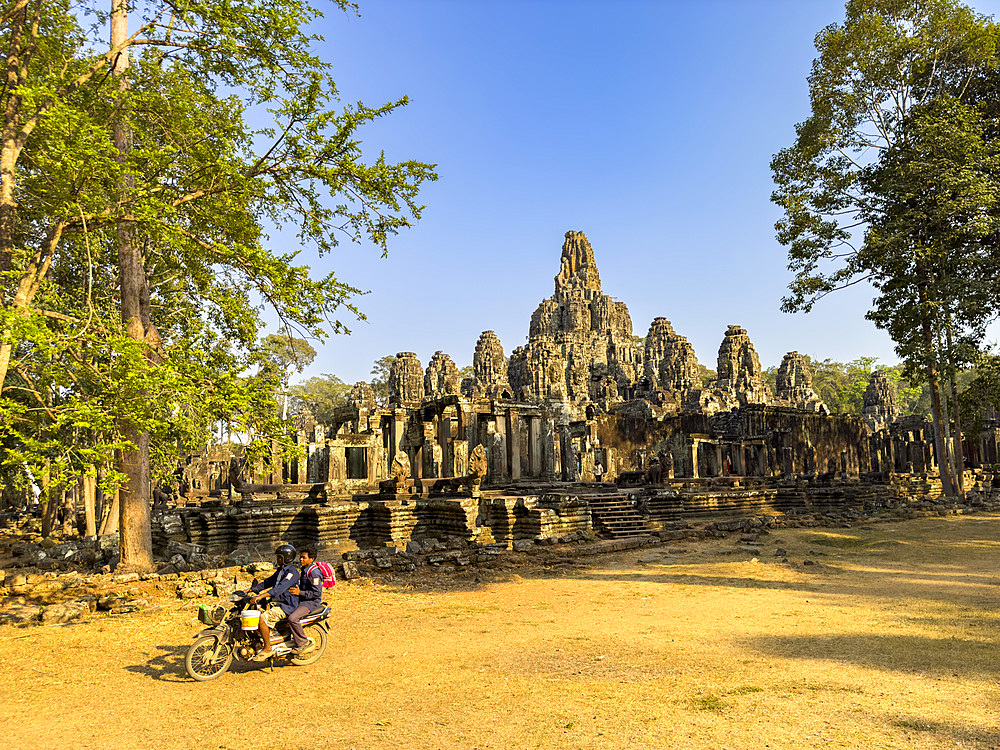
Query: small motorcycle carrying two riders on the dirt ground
x=214, y=650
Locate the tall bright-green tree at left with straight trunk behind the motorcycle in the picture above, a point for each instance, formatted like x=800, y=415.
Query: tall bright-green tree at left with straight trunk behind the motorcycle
x=188, y=205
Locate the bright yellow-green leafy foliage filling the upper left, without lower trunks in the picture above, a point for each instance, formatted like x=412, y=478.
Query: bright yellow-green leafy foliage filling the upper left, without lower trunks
x=206, y=187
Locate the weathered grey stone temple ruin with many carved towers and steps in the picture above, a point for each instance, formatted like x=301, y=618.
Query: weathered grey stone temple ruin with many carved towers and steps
x=510, y=453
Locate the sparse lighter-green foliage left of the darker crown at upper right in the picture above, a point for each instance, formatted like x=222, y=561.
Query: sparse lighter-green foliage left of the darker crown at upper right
x=885, y=59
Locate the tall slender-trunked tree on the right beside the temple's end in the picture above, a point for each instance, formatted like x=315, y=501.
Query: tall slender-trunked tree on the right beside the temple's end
x=843, y=184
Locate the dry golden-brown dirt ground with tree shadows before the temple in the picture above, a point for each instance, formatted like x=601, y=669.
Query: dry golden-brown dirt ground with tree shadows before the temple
x=887, y=641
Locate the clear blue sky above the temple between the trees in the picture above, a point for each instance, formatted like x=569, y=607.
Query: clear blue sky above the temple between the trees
x=647, y=125
